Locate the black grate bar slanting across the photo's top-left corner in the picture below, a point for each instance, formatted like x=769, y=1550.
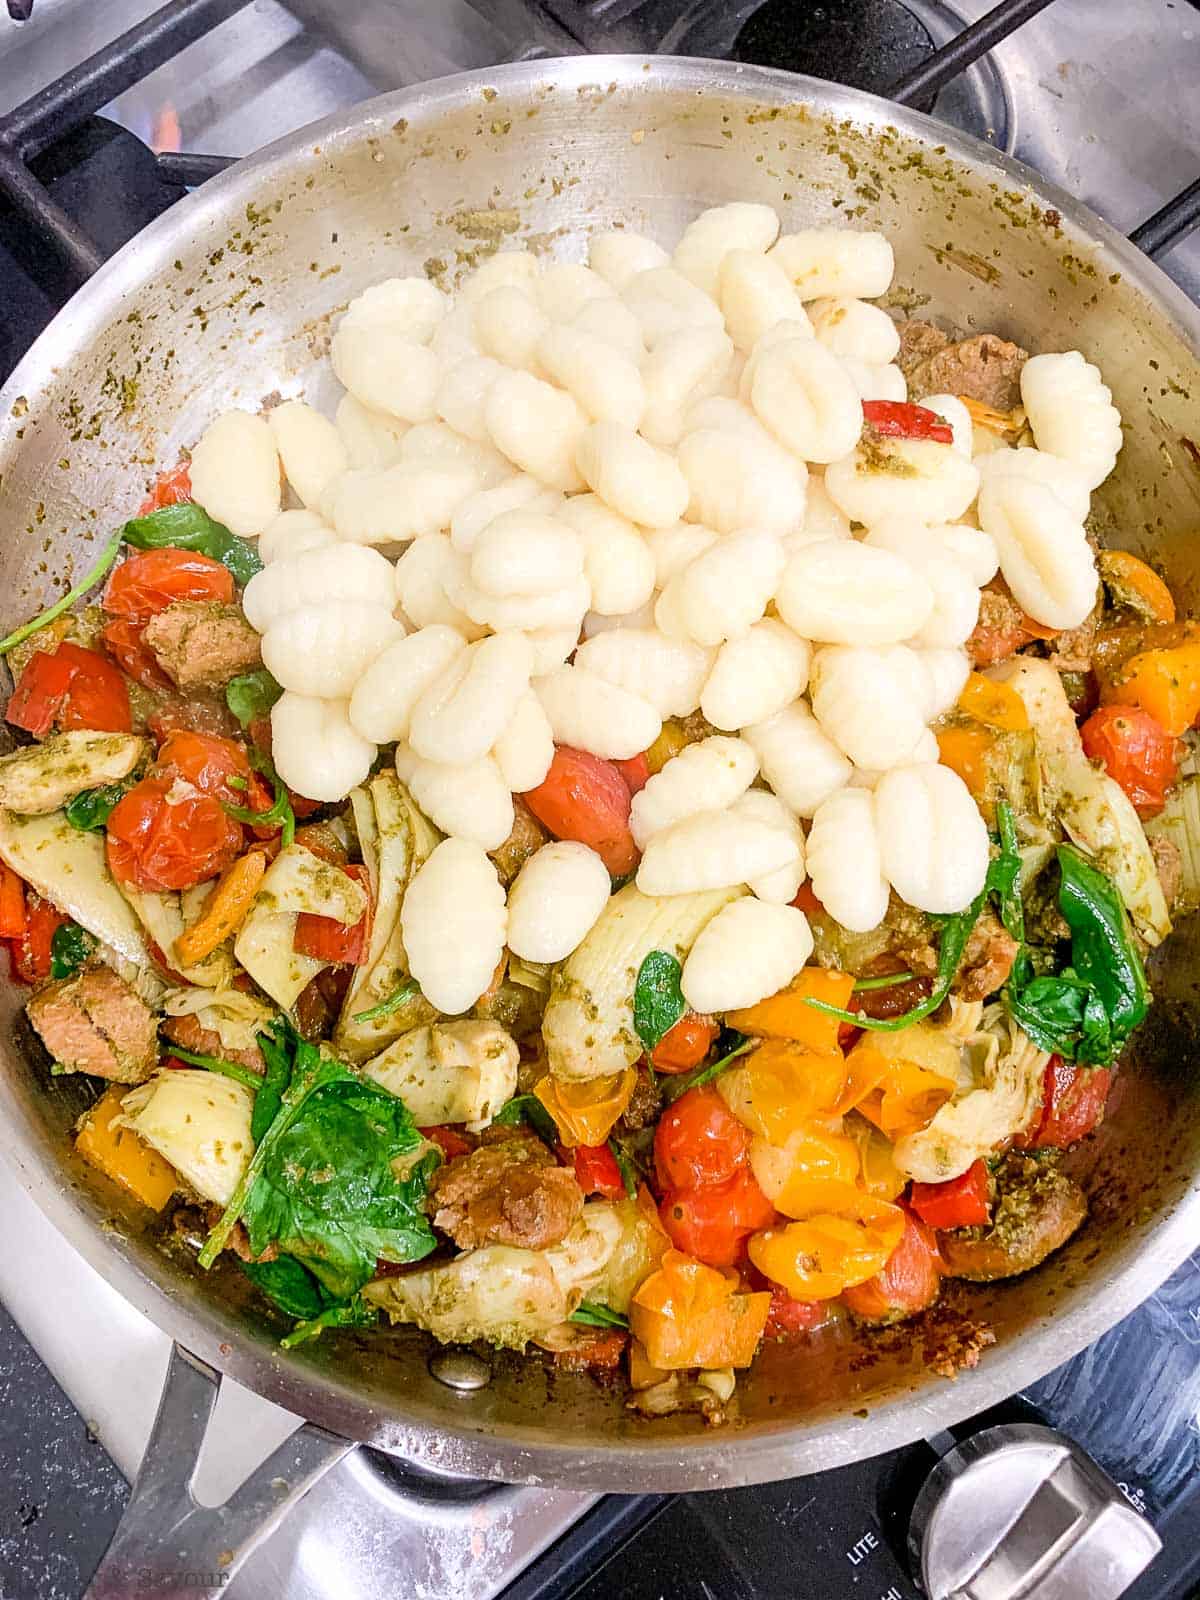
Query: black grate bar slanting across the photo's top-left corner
x=70, y=100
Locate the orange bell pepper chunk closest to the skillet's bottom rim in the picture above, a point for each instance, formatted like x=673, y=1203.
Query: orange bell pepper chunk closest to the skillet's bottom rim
x=687, y=1314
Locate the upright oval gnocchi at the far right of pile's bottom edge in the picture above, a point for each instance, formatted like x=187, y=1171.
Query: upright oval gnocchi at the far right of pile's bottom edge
x=934, y=841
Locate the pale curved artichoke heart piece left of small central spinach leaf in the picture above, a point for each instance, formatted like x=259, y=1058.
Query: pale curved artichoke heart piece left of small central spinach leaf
x=590, y=1018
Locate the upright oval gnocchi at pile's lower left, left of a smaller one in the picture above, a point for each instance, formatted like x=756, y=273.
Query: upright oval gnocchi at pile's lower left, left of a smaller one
x=454, y=922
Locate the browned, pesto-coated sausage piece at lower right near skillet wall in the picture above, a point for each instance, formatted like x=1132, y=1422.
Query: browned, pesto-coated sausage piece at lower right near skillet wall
x=1039, y=1210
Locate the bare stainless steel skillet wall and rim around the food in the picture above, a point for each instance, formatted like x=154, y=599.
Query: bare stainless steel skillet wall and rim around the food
x=230, y=298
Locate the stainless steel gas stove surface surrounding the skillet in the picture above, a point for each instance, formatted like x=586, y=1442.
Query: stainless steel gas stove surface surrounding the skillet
x=130, y=108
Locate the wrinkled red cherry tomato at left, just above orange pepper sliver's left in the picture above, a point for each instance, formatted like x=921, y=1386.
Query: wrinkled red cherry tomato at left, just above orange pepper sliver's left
x=159, y=844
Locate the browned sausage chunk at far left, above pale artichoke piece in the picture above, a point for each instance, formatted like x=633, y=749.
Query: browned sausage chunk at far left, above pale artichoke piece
x=95, y=1023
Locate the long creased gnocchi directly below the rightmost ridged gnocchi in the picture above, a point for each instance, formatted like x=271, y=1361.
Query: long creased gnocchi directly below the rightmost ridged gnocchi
x=1044, y=551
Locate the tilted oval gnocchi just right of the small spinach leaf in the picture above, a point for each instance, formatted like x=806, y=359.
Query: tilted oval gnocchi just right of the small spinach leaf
x=748, y=953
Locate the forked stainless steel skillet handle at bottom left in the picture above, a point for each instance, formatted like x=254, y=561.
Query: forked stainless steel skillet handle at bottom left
x=167, y=1543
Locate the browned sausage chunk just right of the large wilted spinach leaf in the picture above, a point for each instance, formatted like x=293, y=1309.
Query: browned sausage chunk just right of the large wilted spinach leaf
x=508, y=1193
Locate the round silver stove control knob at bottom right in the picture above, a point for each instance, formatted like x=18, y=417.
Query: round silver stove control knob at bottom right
x=1020, y=1513
